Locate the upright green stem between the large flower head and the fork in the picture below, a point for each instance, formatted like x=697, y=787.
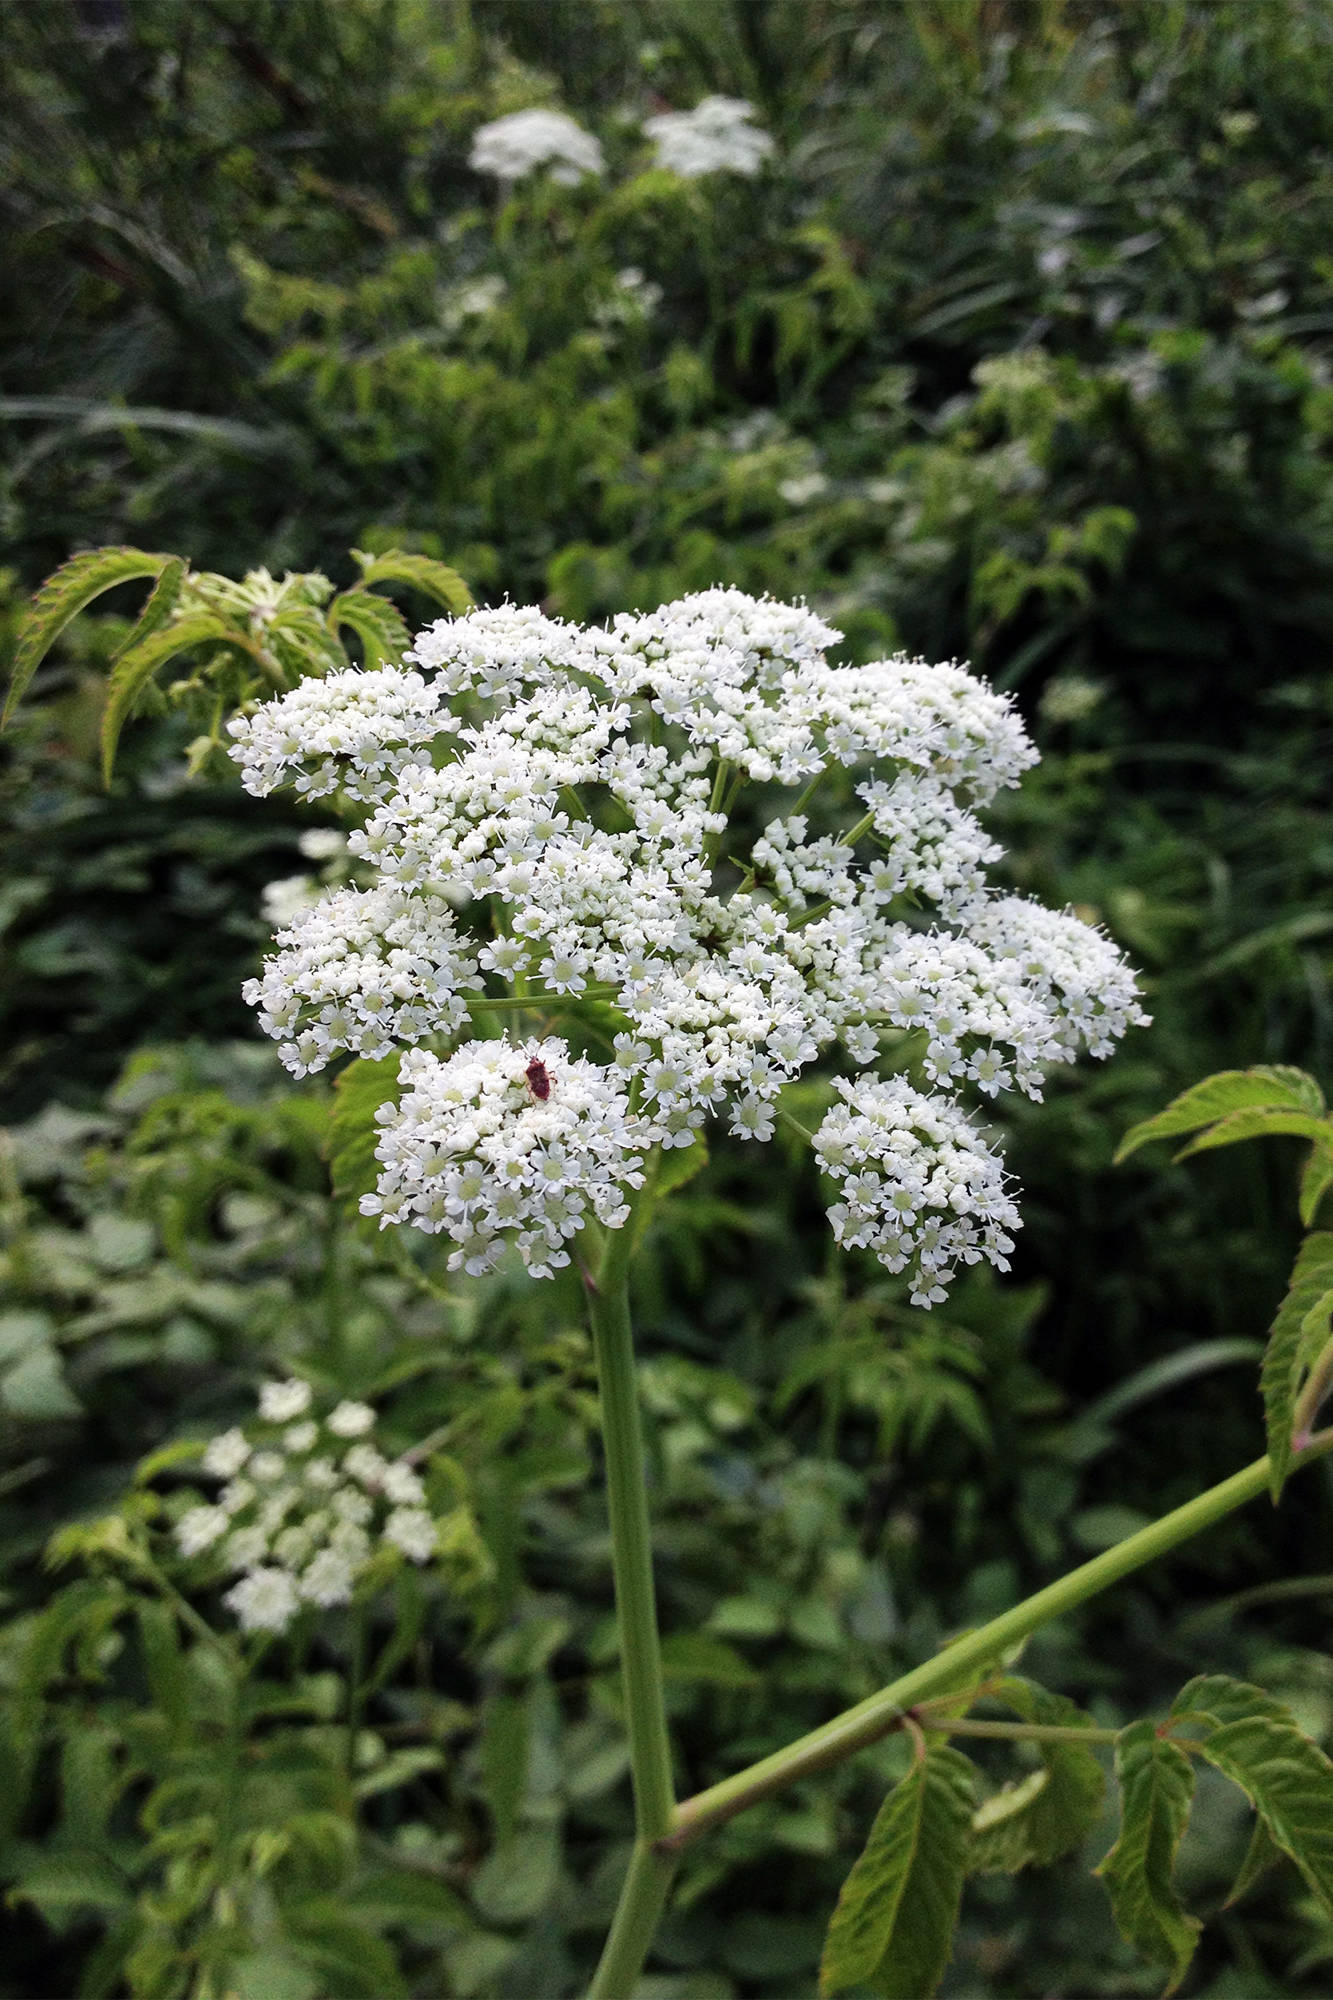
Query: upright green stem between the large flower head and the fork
x=641, y=1659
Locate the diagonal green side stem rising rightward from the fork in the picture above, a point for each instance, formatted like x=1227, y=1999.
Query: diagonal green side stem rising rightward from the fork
x=882, y=1713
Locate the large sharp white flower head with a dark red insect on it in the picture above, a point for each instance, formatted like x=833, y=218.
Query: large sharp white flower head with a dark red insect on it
x=718, y=855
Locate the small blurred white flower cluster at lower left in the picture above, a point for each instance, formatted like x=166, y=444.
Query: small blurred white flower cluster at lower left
x=303, y=1507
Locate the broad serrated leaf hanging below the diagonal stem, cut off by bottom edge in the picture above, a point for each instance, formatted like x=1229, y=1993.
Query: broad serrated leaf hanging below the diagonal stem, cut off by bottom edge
x=894, y=1925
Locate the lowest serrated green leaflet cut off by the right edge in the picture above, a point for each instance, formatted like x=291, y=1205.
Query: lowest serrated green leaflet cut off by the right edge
x=1286, y=1777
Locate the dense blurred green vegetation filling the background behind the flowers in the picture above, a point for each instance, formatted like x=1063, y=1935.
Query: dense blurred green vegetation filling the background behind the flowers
x=1018, y=353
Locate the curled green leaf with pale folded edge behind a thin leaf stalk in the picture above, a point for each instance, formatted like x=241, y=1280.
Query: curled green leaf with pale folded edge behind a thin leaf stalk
x=1042, y=1821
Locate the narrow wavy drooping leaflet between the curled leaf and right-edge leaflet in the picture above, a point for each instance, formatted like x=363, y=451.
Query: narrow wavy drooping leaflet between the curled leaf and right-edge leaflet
x=1158, y=1787
